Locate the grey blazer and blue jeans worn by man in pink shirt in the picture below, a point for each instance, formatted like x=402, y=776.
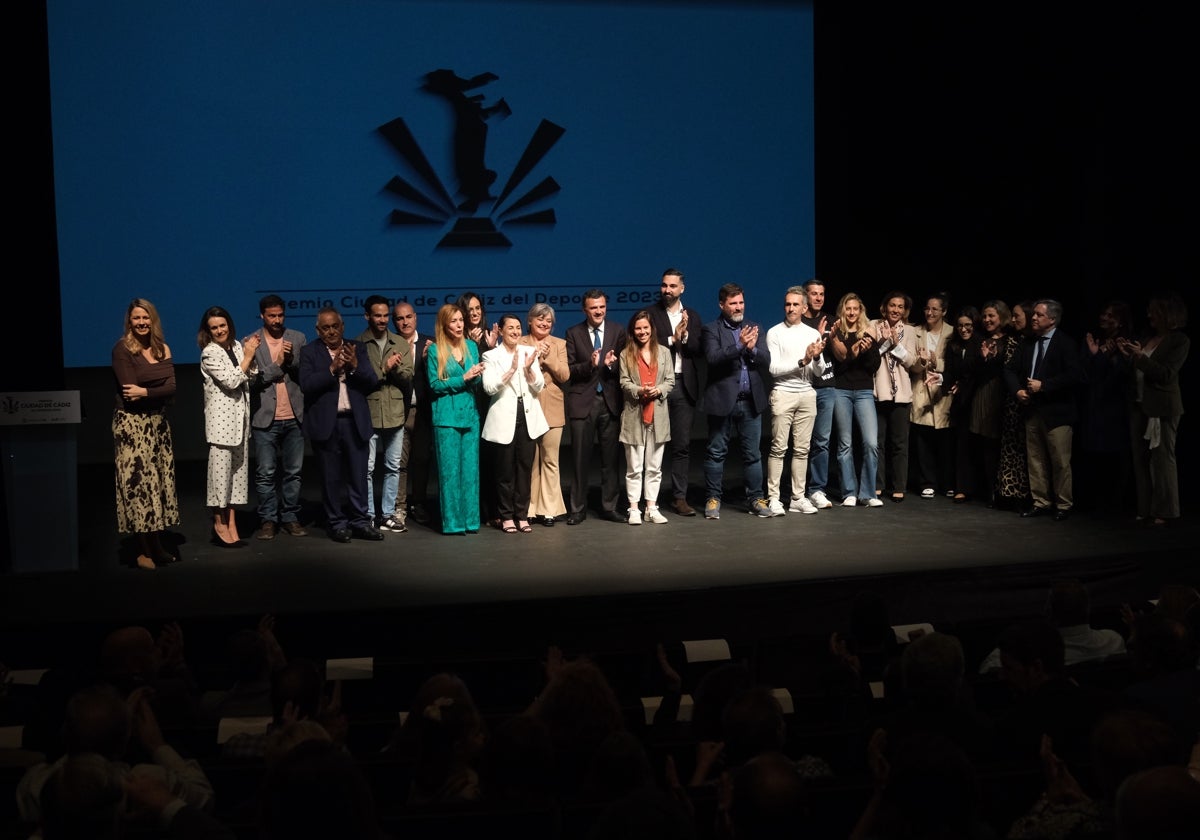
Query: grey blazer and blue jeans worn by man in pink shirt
x=279, y=445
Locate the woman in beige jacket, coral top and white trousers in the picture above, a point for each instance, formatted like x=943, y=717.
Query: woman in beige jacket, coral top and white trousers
x=647, y=376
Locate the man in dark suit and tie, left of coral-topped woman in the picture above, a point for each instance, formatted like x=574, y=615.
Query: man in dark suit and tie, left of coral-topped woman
x=593, y=406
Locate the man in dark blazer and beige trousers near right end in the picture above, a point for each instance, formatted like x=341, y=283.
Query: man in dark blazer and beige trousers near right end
x=1043, y=376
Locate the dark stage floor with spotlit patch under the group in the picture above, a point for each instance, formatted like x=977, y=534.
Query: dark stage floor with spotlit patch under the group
x=957, y=560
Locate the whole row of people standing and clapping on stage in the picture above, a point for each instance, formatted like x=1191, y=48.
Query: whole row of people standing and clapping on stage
x=988, y=403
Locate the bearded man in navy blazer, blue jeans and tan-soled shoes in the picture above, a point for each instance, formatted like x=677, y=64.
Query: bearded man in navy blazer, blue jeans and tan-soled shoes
x=735, y=399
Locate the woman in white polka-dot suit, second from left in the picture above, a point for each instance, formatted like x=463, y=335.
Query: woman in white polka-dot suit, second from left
x=226, y=368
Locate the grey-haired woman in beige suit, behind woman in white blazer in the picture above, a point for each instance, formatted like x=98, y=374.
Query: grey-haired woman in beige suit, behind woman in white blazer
x=547, y=488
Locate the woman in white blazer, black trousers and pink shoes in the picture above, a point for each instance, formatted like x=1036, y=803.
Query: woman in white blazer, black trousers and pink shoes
x=515, y=421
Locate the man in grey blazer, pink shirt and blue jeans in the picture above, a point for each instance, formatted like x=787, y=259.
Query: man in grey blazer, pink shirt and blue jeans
x=277, y=415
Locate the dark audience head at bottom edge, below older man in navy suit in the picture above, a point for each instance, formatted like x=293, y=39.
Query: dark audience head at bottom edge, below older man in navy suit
x=317, y=791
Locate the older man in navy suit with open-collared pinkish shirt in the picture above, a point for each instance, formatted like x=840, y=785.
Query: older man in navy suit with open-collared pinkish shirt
x=335, y=377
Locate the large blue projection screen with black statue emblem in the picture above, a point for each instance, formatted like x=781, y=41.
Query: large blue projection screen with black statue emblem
x=208, y=153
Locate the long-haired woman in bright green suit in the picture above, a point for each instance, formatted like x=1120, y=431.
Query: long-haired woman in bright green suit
x=455, y=374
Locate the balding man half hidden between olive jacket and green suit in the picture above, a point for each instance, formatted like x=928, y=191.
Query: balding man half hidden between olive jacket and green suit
x=418, y=449
